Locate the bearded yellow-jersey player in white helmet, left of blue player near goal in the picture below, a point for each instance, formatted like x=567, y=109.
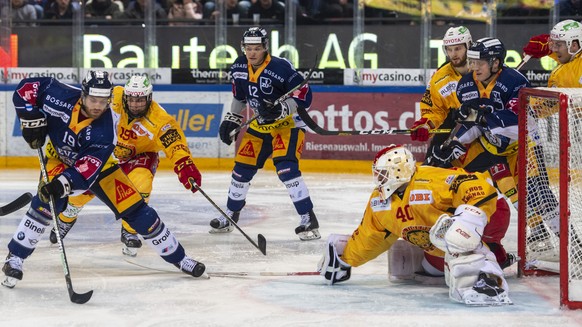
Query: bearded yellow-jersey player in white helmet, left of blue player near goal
x=440, y=97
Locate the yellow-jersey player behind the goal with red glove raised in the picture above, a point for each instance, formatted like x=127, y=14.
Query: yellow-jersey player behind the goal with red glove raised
x=563, y=45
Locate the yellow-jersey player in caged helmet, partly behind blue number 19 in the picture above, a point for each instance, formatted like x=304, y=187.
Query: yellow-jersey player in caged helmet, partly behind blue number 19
x=143, y=130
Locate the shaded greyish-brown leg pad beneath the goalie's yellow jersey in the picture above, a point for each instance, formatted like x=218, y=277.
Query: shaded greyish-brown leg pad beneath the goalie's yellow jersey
x=404, y=260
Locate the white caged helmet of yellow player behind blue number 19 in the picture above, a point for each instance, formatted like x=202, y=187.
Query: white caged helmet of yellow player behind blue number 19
x=137, y=96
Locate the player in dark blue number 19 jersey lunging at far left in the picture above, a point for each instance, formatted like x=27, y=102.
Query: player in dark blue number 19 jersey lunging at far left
x=81, y=130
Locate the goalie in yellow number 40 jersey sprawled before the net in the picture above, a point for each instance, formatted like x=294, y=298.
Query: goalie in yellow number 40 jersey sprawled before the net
x=446, y=212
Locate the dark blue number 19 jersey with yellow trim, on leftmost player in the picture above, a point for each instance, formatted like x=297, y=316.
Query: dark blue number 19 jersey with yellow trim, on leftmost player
x=84, y=144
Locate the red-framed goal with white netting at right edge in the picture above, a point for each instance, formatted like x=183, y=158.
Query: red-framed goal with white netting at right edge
x=550, y=188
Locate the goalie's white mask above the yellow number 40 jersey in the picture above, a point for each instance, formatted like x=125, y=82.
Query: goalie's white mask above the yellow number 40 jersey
x=392, y=168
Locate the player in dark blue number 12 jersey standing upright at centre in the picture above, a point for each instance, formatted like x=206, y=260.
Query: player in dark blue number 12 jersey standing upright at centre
x=258, y=81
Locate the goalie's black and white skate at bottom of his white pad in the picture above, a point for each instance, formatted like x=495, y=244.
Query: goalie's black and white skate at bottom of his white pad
x=486, y=292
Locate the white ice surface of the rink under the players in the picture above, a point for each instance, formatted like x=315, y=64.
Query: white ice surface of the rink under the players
x=159, y=295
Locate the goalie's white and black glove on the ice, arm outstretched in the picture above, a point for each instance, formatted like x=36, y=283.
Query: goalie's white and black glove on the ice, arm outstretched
x=331, y=267
